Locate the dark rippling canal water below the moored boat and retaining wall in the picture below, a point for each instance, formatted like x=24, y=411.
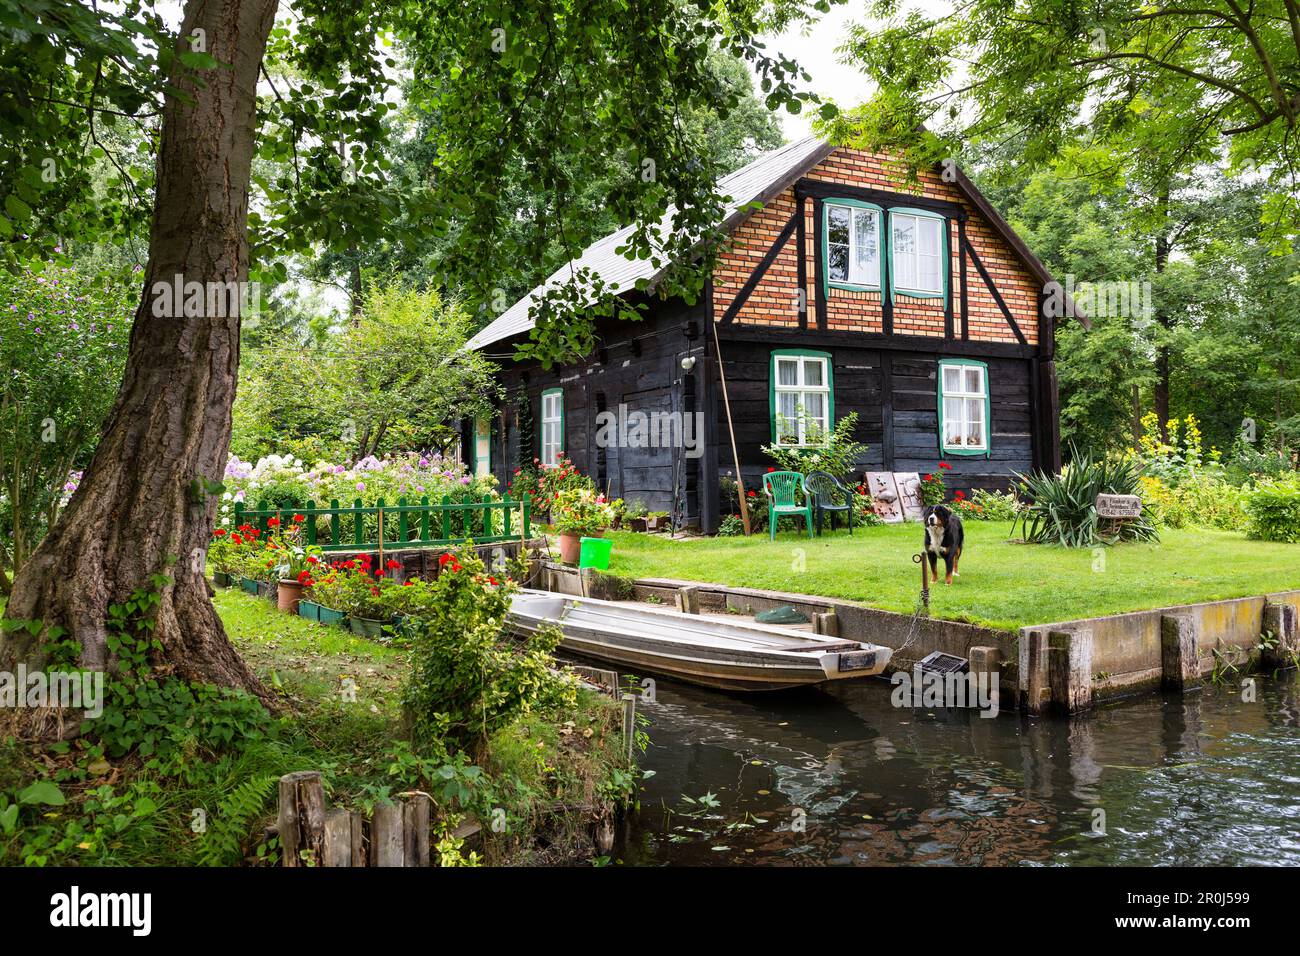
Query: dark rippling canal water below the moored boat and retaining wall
x=840, y=777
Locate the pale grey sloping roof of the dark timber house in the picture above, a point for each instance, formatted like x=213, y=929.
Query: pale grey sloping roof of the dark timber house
x=747, y=185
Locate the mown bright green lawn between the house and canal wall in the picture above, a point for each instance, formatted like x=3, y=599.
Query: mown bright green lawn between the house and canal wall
x=1003, y=583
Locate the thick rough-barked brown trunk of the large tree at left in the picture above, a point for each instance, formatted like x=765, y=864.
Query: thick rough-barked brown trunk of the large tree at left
x=171, y=425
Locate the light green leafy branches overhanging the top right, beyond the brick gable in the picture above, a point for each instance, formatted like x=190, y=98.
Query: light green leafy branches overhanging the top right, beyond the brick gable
x=1030, y=72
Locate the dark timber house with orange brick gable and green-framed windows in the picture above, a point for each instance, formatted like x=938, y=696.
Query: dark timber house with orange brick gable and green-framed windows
x=846, y=291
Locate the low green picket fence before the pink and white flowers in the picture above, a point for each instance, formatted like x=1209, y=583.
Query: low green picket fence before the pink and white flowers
x=366, y=527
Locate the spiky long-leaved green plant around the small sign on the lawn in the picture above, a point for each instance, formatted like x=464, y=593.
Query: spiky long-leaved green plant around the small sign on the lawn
x=1063, y=509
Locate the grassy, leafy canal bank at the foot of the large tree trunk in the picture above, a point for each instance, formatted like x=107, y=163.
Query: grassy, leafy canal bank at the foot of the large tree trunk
x=548, y=777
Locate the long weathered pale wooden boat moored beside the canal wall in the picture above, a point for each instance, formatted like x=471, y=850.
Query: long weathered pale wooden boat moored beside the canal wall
x=733, y=656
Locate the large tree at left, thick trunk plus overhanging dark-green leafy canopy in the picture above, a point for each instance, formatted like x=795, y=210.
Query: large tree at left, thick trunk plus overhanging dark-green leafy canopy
x=508, y=80
